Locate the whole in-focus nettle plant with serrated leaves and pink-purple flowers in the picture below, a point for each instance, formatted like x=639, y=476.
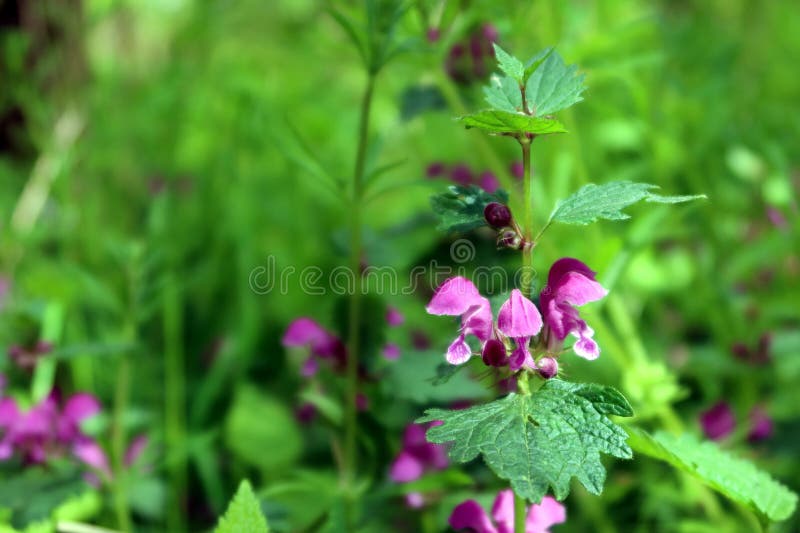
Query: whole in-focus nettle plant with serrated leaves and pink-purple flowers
x=550, y=430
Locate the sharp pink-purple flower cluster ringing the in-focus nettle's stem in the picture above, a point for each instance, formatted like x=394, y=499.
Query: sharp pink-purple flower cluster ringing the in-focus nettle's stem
x=570, y=283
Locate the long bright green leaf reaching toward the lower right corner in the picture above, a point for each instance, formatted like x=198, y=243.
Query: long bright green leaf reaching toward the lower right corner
x=736, y=478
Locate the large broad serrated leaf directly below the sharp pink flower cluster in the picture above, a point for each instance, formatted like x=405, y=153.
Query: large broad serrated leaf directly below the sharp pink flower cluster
x=540, y=440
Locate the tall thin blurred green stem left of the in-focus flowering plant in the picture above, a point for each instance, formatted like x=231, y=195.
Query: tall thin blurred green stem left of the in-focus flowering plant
x=354, y=321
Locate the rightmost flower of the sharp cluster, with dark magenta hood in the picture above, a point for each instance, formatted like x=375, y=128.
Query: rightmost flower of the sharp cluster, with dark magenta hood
x=570, y=283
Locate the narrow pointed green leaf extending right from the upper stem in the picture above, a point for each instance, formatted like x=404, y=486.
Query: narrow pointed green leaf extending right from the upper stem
x=593, y=202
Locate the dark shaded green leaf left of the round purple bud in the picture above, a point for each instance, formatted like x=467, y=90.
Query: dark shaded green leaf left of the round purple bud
x=460, y=209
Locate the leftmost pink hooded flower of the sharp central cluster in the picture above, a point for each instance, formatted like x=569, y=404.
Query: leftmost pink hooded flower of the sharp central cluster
x=459, y=297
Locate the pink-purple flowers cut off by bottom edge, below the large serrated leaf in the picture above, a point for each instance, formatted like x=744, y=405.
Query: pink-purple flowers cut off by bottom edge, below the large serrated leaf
x=470, y=515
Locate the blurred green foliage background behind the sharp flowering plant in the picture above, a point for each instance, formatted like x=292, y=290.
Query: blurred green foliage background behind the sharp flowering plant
x=156, y=152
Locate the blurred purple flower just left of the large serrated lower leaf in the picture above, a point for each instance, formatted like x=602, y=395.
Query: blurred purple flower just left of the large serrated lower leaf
x=418, y=455
